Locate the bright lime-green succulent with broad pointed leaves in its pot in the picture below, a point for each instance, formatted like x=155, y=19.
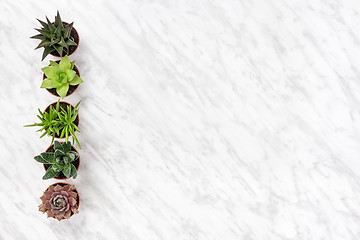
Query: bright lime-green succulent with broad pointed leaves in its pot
x=61, y=80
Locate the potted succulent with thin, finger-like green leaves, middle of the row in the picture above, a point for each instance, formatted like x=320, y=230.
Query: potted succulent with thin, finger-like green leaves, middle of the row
x=59, y=120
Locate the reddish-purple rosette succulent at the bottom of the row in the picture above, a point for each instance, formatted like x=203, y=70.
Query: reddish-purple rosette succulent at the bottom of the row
x=59, y=201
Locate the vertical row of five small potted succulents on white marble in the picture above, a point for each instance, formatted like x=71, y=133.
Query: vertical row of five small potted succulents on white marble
x=60, y=119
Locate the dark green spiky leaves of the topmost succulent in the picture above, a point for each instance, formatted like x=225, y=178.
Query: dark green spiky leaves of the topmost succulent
x=55, y=37
